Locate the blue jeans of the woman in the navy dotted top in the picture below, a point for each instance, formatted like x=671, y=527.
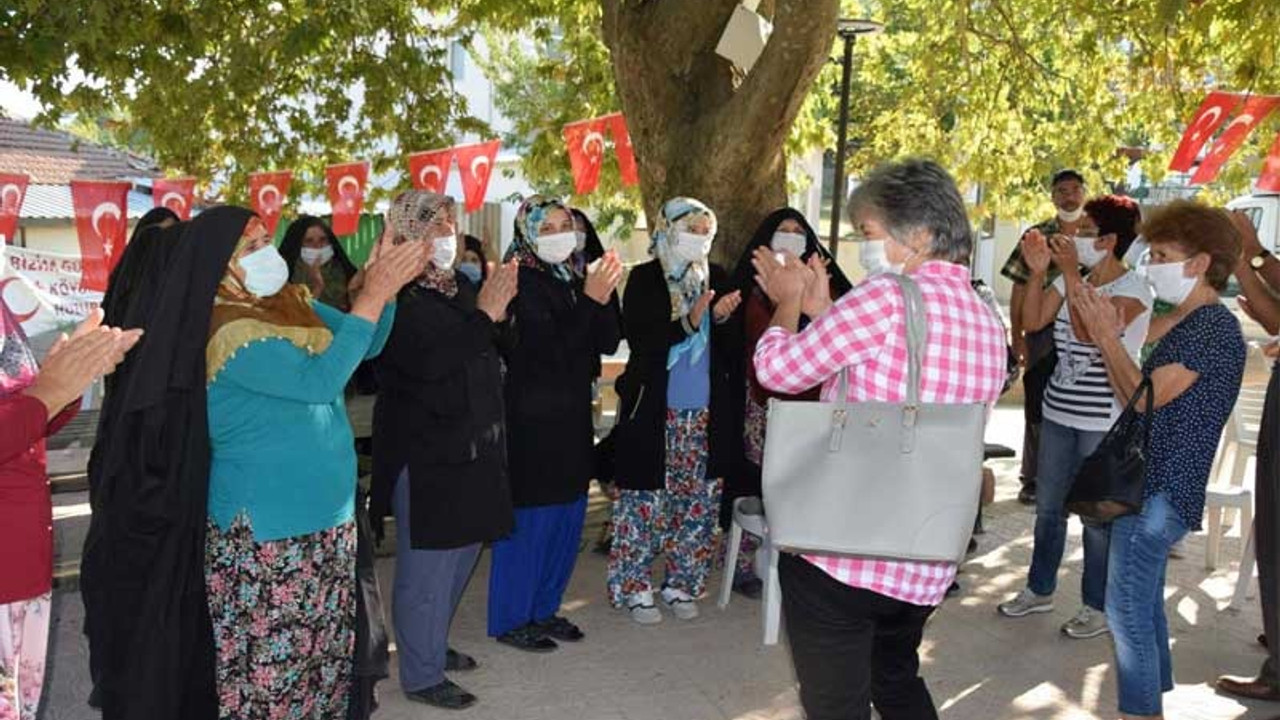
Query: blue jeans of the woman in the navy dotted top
x=1136, y=604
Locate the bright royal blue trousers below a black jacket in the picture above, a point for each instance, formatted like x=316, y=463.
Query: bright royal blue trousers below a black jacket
x=533, y=567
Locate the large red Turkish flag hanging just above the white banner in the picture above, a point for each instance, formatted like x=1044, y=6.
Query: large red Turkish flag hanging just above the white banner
x=102, y=225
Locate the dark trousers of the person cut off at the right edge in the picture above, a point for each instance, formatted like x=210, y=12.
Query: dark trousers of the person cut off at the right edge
x=1267, y=522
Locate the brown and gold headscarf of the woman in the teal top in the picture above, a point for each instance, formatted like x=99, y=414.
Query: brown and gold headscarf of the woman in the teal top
x=241, y=318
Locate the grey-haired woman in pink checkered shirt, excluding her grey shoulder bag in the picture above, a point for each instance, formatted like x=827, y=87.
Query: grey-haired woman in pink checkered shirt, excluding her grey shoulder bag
x=842, y=612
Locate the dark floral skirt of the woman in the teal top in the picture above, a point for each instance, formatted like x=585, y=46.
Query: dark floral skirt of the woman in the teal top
x=285, y=622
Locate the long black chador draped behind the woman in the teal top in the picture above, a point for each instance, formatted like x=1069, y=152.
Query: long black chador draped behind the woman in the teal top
x=143, y=571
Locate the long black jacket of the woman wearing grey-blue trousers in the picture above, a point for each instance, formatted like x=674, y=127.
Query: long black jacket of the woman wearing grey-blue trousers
x=440, y=412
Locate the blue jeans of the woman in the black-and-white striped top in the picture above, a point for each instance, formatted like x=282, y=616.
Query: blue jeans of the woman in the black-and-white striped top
x=1062, y=453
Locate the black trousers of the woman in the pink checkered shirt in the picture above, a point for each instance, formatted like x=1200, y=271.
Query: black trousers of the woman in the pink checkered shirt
x=853, y=648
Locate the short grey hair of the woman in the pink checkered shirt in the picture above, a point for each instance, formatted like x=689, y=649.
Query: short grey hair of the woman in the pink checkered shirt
x=917, y=195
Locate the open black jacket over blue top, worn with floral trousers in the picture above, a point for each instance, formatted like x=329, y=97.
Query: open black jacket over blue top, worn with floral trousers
x=641, y=435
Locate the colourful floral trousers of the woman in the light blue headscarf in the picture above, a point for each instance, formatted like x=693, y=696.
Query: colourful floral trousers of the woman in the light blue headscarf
x=680, y=522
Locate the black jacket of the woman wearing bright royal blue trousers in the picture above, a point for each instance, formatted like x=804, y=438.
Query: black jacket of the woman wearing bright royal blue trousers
x=563, y=335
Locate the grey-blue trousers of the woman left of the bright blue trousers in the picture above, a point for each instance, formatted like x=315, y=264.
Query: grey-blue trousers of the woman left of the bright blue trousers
x=428, y=587
